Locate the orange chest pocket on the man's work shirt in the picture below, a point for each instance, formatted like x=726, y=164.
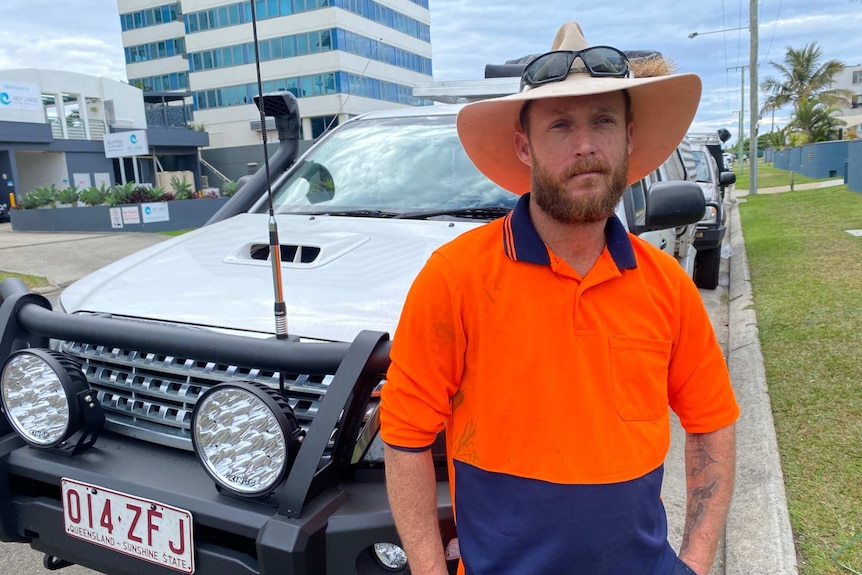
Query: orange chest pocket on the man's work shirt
x=639, y=372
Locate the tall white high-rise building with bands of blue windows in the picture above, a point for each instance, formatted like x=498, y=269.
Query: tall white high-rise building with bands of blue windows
x=339, y=57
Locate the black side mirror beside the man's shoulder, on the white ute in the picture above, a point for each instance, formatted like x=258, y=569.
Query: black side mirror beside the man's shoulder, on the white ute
x=673, y=204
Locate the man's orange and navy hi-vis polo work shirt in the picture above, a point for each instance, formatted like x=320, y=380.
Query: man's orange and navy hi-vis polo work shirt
x=554, y=392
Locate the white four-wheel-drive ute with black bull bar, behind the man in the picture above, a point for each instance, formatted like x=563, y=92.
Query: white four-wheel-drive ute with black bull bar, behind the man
x=157, y=425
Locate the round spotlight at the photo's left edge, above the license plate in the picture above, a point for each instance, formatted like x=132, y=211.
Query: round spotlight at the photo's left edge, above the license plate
x=40, y=395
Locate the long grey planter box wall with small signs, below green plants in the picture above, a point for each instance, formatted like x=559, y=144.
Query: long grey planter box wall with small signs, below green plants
x=154, y=217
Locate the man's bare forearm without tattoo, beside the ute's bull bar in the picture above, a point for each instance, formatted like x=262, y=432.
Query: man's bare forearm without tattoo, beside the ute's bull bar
x=412, y=488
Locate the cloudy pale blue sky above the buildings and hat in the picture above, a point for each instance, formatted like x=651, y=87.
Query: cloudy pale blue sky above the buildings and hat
x=84, y=36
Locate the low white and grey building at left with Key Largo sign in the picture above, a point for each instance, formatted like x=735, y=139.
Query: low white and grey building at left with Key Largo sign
x=53, y=124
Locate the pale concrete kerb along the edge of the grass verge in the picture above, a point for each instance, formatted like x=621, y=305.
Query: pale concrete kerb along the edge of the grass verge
x=759, y=538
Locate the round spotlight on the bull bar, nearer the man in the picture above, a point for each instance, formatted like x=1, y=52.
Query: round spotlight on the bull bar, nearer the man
x=244, y=434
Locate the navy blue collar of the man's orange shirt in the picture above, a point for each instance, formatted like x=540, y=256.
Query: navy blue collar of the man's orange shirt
x=521, y=241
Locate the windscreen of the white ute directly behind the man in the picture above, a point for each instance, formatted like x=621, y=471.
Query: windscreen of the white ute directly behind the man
x=394, y=165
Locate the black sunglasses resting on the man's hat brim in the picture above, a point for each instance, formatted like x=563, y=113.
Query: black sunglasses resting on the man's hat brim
x=599, y=61
